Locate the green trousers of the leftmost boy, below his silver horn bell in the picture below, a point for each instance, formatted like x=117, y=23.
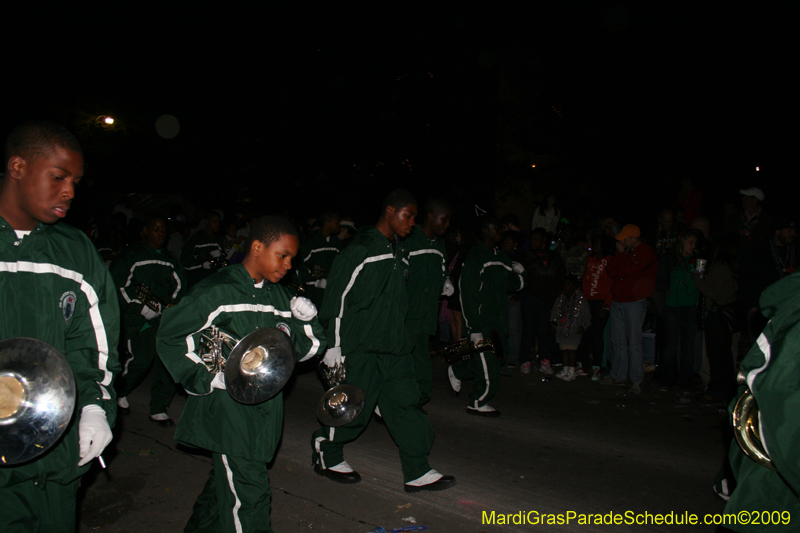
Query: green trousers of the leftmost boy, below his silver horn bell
x=29, y=507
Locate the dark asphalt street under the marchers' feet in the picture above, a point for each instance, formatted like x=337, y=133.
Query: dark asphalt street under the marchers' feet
x=558, y=447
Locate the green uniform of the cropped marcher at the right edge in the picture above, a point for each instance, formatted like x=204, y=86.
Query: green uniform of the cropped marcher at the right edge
x=772, y=369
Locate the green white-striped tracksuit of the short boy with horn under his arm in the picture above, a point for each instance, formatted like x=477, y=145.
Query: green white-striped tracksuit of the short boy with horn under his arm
x=242, y=438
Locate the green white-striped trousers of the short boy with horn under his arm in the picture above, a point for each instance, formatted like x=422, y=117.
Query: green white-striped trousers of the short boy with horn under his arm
x=235, y=499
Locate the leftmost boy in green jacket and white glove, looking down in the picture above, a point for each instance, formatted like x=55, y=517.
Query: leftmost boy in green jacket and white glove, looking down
x=54, y=287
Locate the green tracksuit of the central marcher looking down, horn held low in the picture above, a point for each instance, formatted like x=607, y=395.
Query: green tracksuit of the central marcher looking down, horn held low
x=364, y=314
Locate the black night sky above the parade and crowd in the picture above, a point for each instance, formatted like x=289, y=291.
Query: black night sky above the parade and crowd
x=310, y=104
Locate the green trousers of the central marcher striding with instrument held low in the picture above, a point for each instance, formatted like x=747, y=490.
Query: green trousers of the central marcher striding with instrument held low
x=389, y=381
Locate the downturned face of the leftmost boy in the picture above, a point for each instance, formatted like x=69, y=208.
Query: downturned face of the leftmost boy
x=47, y=186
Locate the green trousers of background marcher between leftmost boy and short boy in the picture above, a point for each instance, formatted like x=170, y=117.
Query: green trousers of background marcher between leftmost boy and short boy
x=143, y=357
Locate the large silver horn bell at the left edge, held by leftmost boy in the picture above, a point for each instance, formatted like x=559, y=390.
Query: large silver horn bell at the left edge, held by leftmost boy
x=37, y=398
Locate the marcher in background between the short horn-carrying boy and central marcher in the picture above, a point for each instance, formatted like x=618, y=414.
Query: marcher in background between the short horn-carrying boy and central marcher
x=316, y=257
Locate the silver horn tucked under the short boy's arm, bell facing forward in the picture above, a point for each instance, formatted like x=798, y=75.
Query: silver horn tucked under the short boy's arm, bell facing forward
x=258, y=366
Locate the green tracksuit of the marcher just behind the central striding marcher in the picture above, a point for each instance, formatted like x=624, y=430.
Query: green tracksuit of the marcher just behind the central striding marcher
x=426, y=274
